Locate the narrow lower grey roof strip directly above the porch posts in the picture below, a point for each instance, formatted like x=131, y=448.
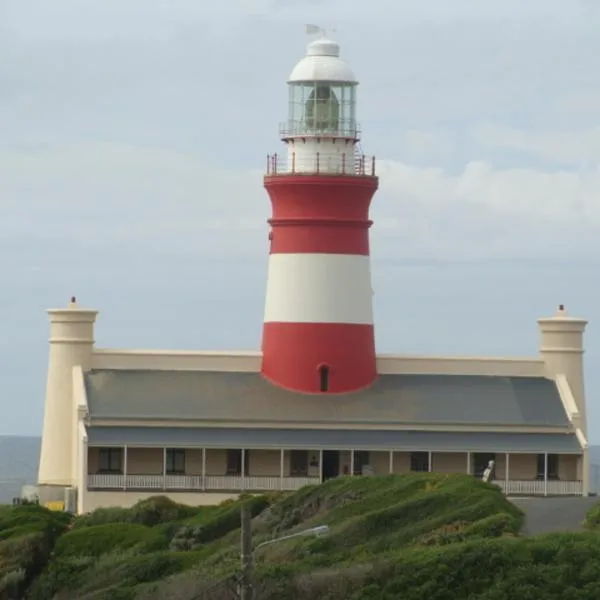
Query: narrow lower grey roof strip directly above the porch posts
x=213, y=437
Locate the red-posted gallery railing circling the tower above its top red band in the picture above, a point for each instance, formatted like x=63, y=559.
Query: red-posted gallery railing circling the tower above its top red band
x=321, y=164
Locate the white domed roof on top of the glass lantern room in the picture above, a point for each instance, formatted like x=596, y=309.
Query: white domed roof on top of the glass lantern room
x=322, y=63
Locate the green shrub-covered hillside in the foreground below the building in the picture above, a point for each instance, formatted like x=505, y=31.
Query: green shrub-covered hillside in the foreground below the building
x=413, y=537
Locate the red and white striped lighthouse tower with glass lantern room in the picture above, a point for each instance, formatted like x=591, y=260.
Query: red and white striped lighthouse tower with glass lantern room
x=318, y=328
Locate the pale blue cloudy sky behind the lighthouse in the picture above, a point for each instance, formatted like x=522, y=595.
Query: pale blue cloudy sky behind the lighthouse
x=133, y=140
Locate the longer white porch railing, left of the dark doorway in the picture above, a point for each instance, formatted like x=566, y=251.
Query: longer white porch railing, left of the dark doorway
x=197, y=482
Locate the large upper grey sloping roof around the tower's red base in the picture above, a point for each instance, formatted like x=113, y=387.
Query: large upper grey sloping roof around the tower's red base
x=392, y=399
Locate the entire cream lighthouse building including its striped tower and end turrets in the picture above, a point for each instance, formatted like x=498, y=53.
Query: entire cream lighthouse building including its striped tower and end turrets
x=317, y=401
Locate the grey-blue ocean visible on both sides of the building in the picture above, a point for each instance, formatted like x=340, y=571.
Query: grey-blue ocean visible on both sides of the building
x=19, y=457
